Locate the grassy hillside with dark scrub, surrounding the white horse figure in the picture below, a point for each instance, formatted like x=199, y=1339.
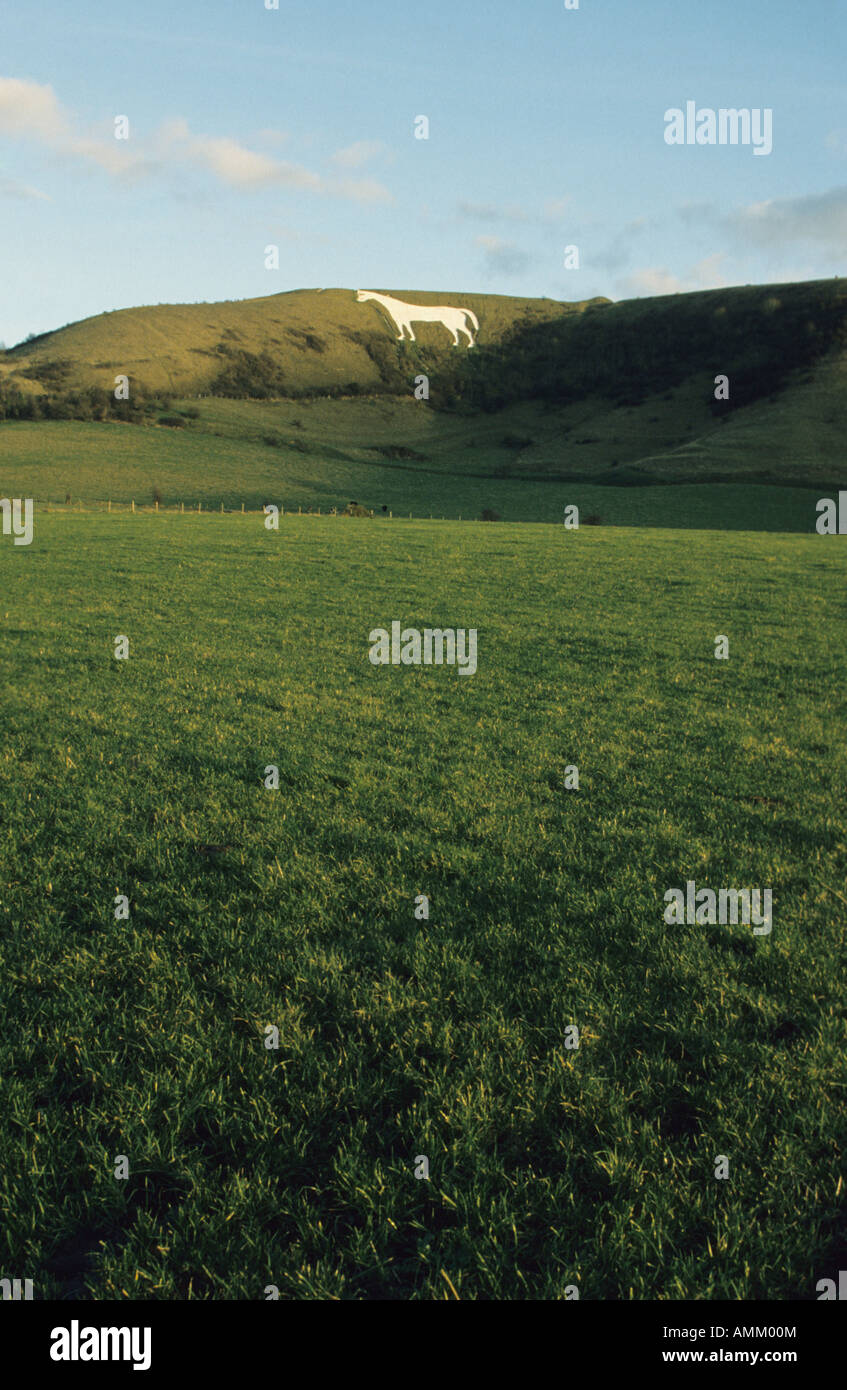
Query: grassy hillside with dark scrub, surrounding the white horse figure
x=312, y=393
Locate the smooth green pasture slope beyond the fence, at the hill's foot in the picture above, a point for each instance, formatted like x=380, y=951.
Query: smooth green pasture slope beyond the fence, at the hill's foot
x=458, y=471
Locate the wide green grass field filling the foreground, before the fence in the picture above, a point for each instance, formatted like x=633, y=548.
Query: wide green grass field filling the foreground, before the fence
x=398, y=1038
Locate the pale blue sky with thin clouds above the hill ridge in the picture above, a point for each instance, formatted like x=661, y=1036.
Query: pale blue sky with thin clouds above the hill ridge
x=296, y=127
